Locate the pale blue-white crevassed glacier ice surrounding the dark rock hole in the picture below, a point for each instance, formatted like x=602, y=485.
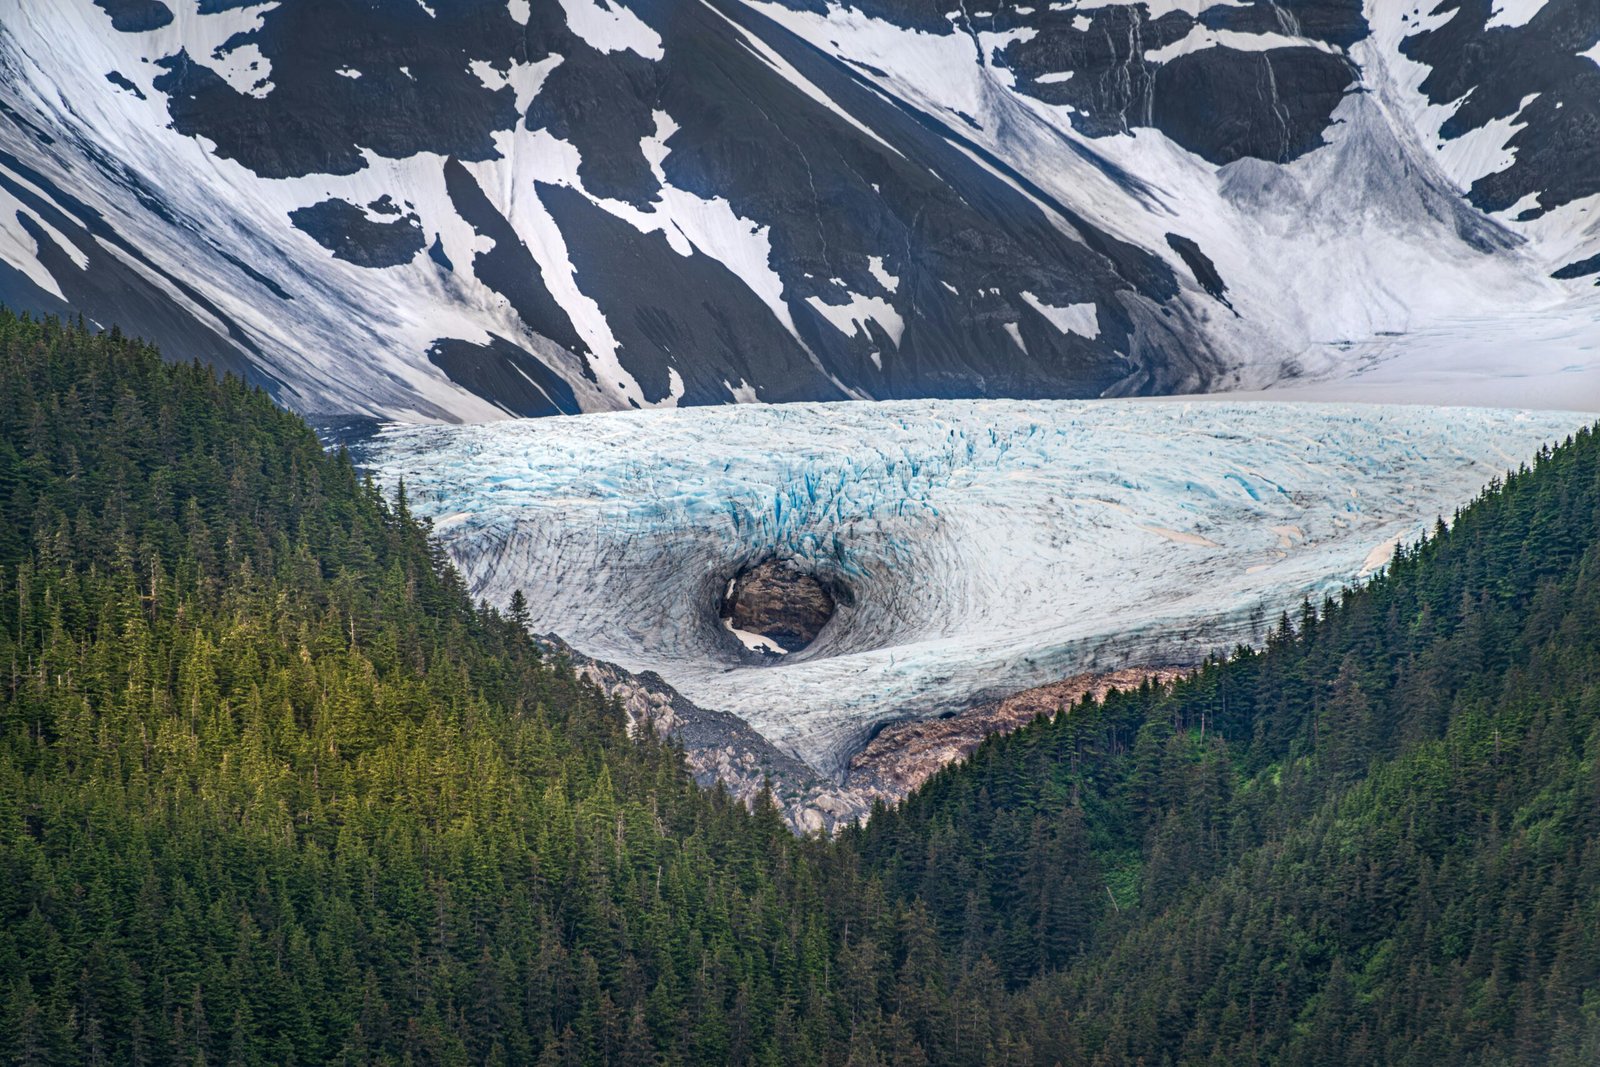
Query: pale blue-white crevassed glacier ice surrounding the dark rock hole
x=978, y=548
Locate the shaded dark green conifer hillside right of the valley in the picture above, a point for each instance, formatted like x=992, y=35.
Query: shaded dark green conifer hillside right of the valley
x=1377, y=841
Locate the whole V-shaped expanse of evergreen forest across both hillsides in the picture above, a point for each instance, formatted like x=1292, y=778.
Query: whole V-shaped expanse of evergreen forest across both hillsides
x=273, y=791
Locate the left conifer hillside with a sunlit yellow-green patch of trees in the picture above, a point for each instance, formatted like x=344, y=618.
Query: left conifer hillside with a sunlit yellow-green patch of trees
x=274, y=793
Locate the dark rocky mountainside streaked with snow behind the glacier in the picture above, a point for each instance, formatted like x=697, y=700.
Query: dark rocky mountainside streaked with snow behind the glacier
x=466, y=209
